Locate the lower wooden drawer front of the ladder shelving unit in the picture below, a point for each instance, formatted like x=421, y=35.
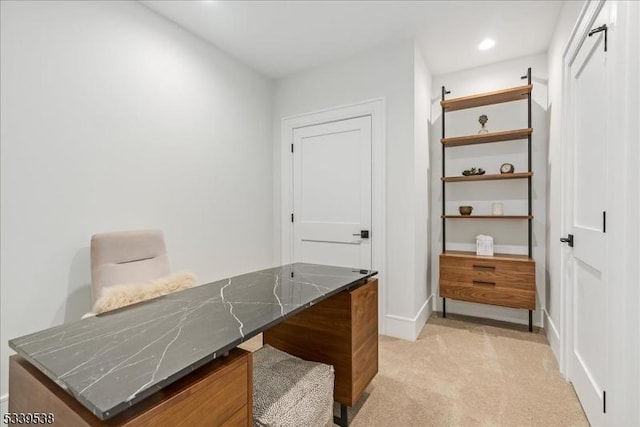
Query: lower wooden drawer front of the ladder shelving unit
x=488, y=294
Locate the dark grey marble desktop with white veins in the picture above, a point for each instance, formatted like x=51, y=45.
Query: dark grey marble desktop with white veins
x=113, y=360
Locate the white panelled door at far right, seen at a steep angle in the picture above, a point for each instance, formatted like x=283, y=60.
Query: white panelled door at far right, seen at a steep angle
x=586, y=271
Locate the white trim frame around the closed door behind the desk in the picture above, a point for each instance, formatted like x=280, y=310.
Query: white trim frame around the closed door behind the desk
x=376, y=109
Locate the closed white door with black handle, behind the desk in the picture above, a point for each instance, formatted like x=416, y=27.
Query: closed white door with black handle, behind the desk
x=332, y=193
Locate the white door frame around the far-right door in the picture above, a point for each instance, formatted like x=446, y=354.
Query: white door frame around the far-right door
x=622, y=205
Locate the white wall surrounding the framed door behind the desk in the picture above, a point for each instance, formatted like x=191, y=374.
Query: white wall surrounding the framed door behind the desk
x=387, y=72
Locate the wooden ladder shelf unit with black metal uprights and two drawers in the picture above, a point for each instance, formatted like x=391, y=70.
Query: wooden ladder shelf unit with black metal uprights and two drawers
x=506, y=280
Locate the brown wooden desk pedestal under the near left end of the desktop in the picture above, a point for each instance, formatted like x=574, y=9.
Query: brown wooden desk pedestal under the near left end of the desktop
x=217, y=394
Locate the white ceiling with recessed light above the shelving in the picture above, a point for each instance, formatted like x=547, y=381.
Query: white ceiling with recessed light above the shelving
x=279, y=38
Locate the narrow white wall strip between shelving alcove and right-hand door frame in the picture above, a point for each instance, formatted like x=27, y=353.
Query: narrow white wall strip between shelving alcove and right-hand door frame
x=553, y=317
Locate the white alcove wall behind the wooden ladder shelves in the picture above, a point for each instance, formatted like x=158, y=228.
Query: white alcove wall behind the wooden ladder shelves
x=509, y=236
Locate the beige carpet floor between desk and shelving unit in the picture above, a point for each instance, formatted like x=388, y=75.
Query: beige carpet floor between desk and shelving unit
x=465, y=371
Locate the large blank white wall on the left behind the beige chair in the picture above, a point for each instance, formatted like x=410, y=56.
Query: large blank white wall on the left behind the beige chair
x=114, y=118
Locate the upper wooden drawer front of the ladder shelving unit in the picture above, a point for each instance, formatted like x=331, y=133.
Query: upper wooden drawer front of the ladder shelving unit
x=498, y=273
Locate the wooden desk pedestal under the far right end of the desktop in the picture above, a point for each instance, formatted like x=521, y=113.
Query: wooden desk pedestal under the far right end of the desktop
x=341, y=331
